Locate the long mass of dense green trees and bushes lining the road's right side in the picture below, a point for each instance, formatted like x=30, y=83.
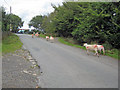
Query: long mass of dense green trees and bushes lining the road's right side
x=91, y=22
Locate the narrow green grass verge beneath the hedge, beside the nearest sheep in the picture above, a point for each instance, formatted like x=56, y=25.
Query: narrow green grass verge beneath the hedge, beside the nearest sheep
x=112, y=53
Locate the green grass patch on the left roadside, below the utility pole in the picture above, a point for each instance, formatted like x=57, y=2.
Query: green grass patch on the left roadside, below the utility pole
x=11, y=43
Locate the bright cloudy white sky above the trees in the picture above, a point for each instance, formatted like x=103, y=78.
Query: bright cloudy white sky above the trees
x=27, y=9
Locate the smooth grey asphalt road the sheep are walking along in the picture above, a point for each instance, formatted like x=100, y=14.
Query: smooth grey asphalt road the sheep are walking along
x=69, y=67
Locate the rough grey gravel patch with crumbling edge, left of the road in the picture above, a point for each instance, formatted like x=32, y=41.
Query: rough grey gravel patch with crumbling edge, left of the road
x=19, y=70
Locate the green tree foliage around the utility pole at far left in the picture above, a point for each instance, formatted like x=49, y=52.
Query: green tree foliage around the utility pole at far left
x=8, y=19
